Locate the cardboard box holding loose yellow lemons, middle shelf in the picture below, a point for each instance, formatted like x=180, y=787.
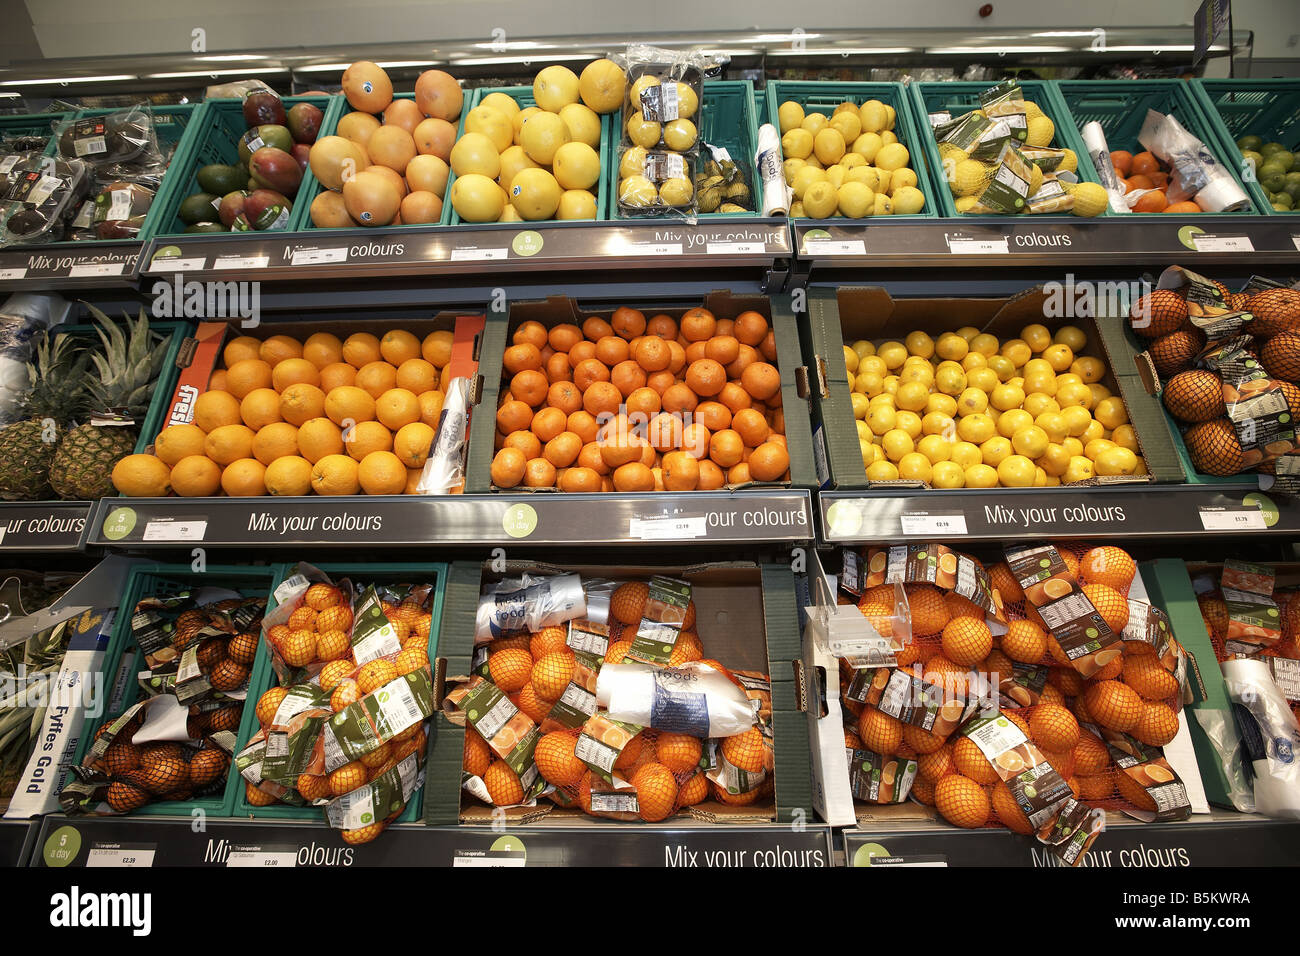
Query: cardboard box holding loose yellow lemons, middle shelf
x=843, y=315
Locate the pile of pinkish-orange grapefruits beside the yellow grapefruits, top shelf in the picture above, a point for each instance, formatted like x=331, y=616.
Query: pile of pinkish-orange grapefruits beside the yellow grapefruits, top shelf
x=387, y=162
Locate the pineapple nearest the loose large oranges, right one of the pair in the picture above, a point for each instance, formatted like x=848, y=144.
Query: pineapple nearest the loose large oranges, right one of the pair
x=128, y=370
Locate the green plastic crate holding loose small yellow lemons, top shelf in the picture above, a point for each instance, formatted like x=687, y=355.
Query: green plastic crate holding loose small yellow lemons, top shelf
x=912, y=132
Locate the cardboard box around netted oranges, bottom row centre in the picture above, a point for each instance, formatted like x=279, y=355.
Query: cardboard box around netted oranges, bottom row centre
x=747, y=618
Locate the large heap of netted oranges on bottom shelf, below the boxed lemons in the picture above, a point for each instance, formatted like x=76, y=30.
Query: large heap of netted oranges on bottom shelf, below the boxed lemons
x=995, y=716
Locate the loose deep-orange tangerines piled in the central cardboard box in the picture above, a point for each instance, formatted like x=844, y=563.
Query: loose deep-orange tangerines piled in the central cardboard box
x=630, y=404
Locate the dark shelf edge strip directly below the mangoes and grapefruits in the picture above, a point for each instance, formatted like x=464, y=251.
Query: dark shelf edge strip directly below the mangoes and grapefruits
x=509, y=248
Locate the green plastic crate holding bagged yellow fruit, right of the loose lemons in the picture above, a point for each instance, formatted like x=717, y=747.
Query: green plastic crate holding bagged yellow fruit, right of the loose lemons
x=964, y=97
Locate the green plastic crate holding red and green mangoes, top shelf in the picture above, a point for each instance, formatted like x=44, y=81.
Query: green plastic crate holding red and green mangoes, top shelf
x=218, y=127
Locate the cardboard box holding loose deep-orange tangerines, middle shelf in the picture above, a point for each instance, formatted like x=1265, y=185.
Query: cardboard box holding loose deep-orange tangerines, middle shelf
x=560, y=310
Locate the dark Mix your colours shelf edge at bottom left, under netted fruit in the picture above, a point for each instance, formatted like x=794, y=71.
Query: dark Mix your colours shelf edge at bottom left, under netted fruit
x=172, y=842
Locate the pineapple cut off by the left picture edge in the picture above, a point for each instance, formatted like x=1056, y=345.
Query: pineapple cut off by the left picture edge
x=57, y=396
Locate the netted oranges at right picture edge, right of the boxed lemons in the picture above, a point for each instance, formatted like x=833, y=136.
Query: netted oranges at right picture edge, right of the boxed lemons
x=1229, y=366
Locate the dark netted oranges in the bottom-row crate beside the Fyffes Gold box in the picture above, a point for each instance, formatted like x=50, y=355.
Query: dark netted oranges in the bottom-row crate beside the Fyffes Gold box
x=176, y=743
